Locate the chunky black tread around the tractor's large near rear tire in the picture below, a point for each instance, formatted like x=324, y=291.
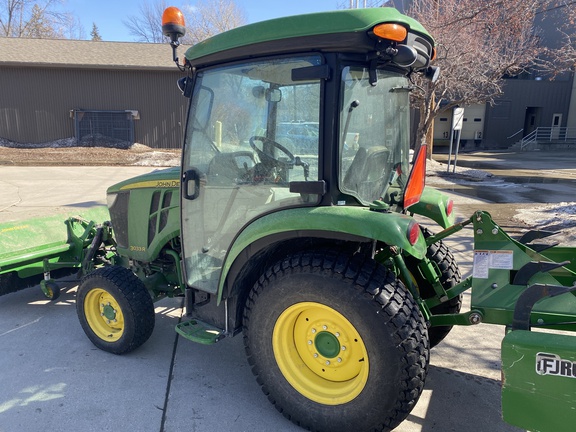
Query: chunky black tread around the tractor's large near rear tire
x=392, y=303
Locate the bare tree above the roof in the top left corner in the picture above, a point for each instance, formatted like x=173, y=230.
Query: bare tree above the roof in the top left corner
x=32, y=18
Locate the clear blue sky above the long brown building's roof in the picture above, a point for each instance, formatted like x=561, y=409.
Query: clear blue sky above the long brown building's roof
x=108, y=14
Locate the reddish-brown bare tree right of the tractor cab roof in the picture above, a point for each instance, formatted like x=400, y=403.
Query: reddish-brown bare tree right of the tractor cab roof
x=481, y=43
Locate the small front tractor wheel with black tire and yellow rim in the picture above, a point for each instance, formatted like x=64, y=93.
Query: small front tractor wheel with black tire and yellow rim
x=115, y=309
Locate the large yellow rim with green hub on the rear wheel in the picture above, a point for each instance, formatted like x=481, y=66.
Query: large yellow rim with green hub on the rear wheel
x=320, y=353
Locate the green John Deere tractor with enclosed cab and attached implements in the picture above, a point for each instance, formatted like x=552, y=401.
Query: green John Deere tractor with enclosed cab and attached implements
x=291, y=221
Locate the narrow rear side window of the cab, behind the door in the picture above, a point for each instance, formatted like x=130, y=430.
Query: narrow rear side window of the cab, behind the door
x=374, y=135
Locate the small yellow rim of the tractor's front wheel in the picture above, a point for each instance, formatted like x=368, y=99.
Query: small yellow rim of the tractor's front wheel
x=104, y=315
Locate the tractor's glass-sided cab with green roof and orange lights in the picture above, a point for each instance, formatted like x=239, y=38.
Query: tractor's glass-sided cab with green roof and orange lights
x=280, y=119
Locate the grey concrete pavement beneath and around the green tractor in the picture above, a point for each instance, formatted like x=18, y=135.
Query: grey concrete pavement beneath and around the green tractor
x=53, y=378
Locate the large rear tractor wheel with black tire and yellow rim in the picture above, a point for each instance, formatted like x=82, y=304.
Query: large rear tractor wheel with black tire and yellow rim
x=337, y=344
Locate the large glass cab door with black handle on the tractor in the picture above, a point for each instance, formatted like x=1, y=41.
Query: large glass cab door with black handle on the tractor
x=236, y=165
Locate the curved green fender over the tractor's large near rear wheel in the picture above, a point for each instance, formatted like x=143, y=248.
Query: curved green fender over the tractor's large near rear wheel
x=329, y=222
